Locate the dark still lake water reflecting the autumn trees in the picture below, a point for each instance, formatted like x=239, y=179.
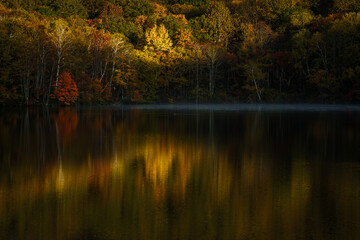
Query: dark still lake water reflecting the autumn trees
x=171, y=173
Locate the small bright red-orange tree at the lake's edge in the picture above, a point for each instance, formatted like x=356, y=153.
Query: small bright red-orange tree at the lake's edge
x=66, y=90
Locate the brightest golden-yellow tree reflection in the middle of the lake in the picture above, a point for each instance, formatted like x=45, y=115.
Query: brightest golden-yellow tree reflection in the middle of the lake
x=165, y=156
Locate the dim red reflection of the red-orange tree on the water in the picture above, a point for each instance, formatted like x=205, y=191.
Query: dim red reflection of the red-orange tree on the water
x=67, y=121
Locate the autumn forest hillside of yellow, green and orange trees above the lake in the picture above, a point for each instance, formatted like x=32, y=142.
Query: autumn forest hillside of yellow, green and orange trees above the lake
x=143, y=51
